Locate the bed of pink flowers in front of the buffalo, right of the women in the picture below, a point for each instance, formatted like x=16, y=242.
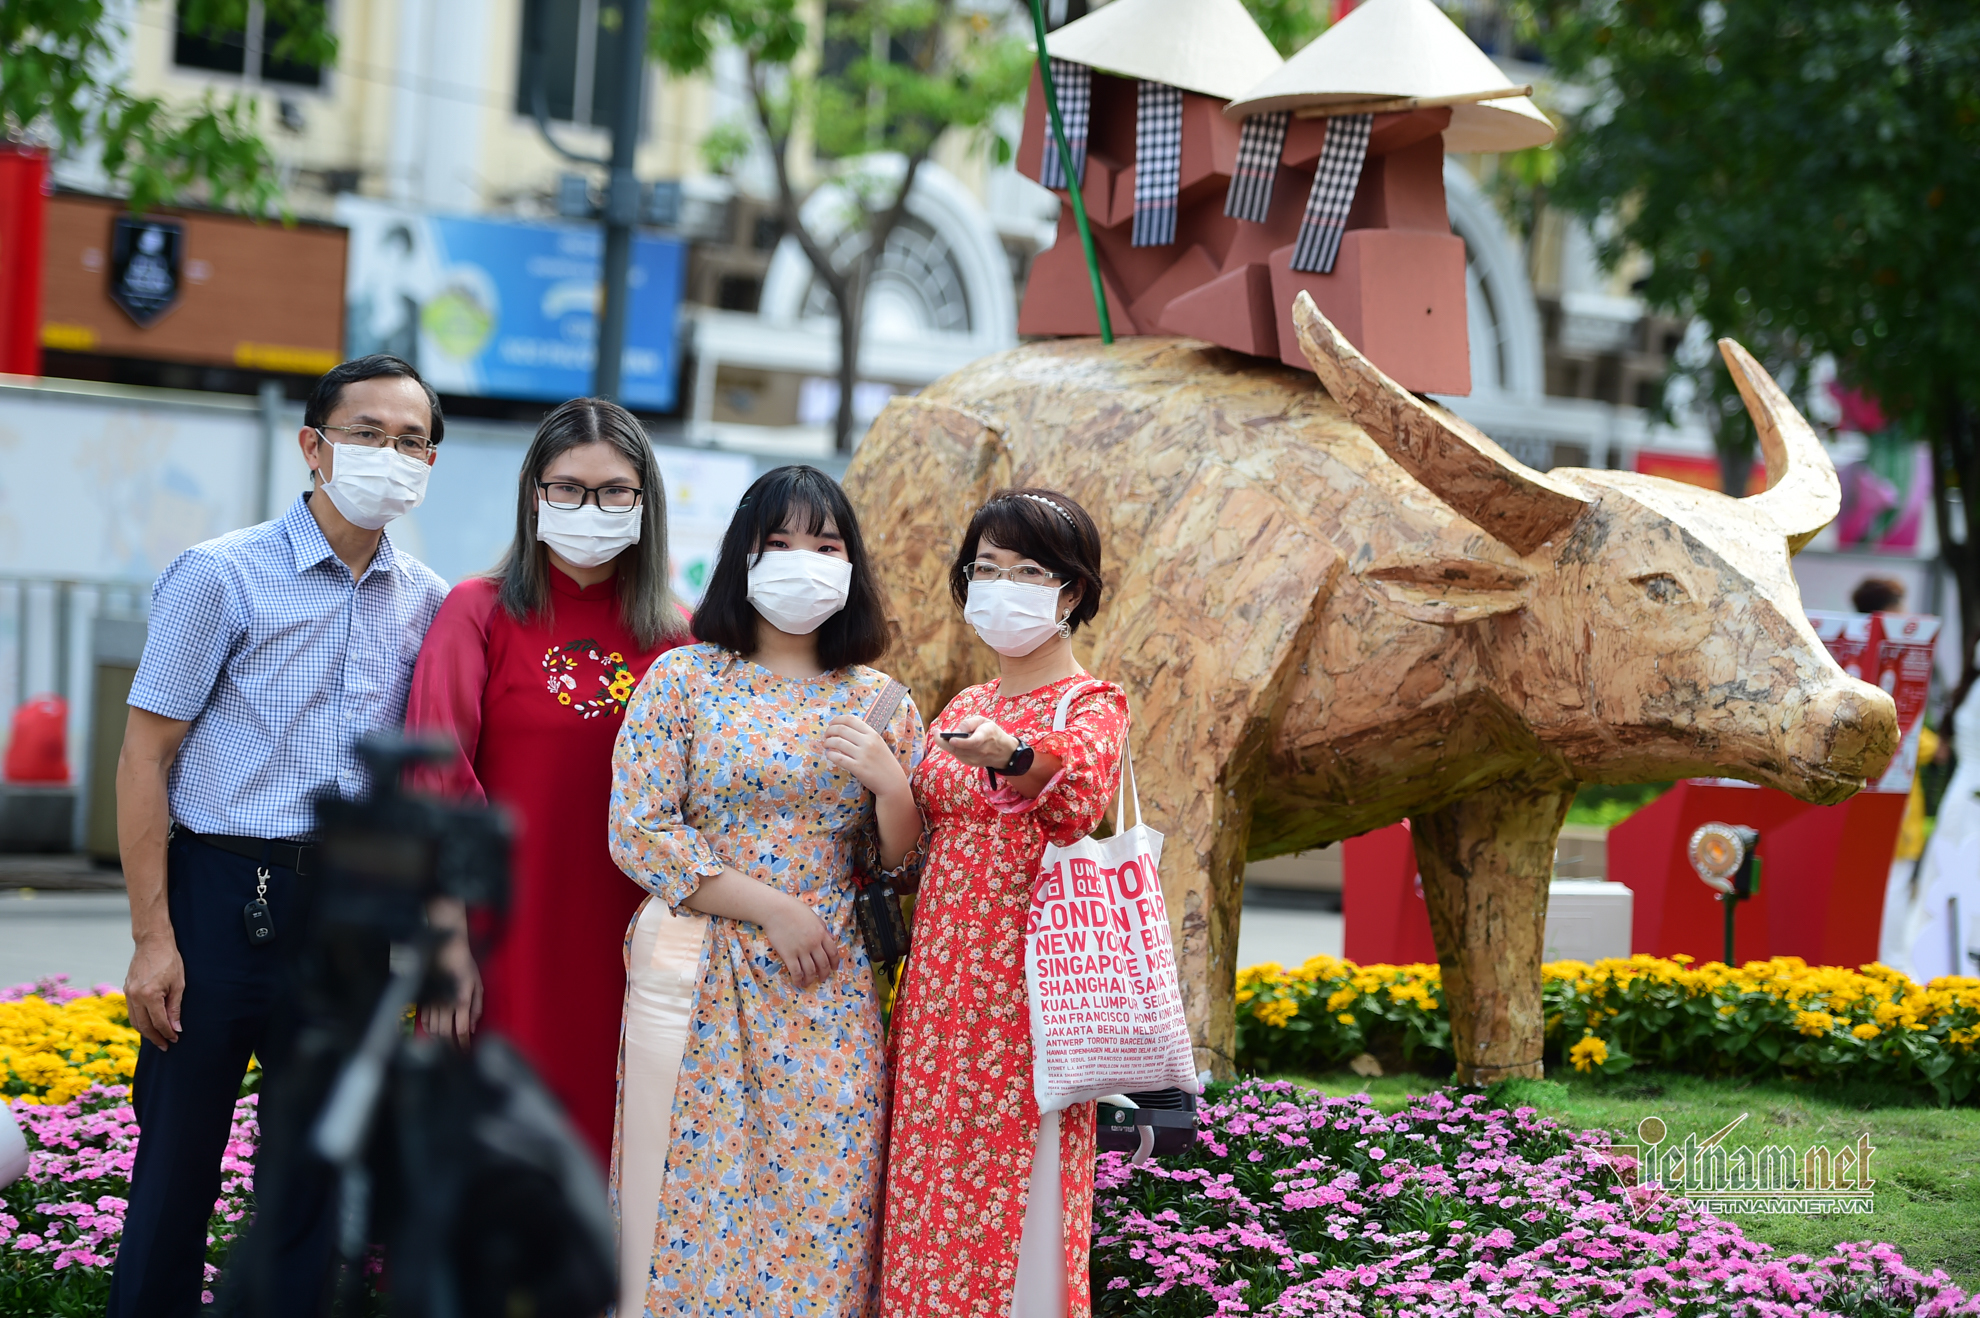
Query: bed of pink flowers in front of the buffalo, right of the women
x=1304, y=1206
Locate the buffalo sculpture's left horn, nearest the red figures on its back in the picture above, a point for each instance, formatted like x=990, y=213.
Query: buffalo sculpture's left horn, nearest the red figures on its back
x=1446, y=454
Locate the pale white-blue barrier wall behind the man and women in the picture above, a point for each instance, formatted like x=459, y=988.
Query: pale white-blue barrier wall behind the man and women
x=102, y=488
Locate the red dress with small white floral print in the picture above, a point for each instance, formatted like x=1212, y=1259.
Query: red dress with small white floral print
x=965, y=1119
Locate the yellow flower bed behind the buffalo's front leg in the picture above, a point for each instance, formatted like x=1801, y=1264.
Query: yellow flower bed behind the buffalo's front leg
x=1763, y=1018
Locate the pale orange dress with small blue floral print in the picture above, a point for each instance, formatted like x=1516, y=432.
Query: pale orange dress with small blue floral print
x=777, y=1143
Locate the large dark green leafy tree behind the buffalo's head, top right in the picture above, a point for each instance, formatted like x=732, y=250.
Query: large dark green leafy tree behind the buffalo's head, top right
x=1807, y=179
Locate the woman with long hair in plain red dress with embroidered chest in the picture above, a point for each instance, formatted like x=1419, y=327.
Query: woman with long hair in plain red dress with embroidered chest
x=530, y=672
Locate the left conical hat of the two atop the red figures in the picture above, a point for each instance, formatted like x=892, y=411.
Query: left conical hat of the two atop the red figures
x=1209, y=47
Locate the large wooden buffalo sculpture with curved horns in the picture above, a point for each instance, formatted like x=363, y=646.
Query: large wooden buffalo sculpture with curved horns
x=1337, y=607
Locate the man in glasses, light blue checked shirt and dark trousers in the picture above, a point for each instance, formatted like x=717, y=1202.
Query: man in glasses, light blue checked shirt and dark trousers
x=270, y=652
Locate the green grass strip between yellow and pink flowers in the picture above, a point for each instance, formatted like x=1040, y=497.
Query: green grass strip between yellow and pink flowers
x=1926, y=1163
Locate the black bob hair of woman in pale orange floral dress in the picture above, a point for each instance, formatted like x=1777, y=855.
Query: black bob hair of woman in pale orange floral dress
x=793, y=500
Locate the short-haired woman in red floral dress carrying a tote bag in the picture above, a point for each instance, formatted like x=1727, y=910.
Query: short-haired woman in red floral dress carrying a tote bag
x=989, y=1208
